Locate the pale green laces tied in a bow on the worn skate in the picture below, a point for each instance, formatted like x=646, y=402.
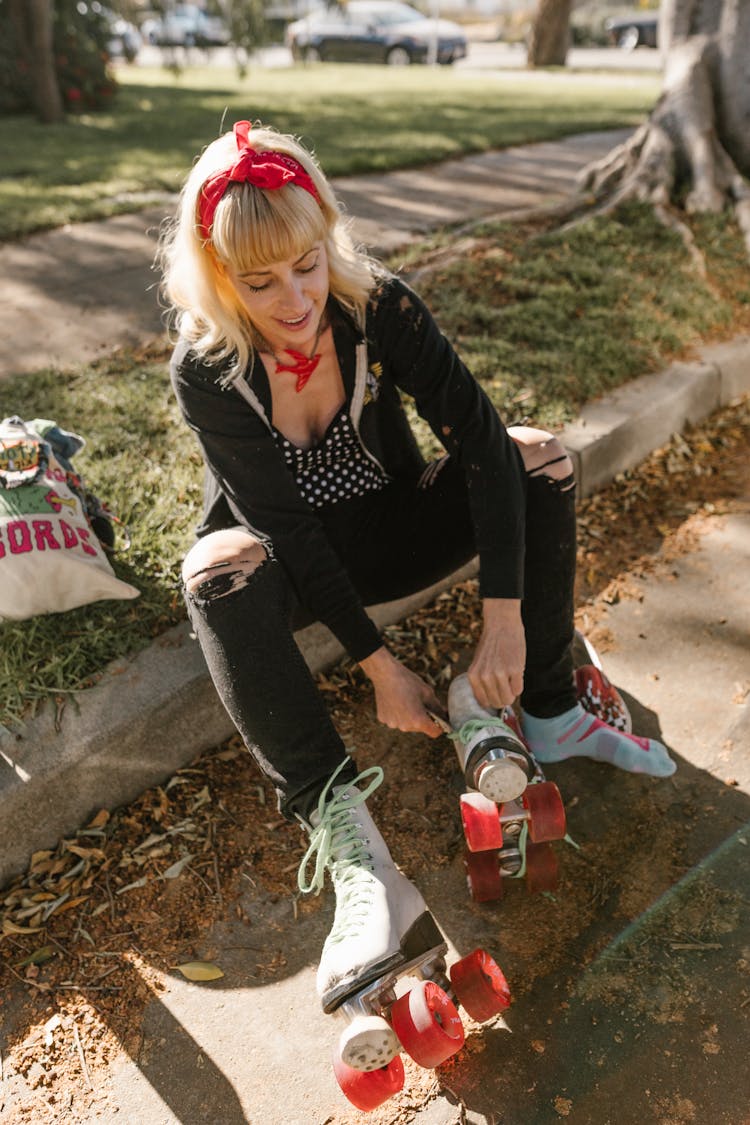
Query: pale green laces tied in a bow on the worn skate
x=336, y=833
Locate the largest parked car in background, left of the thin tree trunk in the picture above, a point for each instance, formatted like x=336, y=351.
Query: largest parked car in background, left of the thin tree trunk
x=375, y=32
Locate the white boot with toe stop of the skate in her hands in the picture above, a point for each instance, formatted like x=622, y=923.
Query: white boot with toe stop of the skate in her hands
x=492, y=754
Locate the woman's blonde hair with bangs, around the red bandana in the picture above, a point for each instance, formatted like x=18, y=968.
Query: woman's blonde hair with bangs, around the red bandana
x=252, y=228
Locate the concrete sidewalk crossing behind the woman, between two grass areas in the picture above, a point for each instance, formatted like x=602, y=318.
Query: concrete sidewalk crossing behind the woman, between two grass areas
x=84, y=291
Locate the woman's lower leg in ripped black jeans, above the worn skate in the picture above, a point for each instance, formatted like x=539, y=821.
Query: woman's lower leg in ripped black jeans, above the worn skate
x=240, y=606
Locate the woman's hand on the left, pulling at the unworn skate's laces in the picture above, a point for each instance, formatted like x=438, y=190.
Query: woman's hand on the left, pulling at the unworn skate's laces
x=403, y=699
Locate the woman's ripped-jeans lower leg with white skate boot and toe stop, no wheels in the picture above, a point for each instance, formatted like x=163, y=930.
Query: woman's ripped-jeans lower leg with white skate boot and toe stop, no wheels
x=240, y=606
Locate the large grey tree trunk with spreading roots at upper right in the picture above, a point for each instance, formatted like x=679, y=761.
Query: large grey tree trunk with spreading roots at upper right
x=697, y=145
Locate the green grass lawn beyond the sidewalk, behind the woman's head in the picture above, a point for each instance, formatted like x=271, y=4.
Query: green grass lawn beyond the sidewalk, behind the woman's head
x=356, y=119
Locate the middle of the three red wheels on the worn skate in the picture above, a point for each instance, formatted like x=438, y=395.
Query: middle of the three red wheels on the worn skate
x=428, y=1024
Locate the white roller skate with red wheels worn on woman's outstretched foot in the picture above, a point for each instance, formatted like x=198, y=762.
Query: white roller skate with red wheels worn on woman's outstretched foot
x=383, y=932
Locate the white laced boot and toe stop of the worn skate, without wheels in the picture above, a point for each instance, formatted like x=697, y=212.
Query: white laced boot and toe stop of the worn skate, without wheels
x=382, y=922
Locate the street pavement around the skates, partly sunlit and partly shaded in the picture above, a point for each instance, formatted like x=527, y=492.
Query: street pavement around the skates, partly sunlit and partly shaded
x=629, y=1025
